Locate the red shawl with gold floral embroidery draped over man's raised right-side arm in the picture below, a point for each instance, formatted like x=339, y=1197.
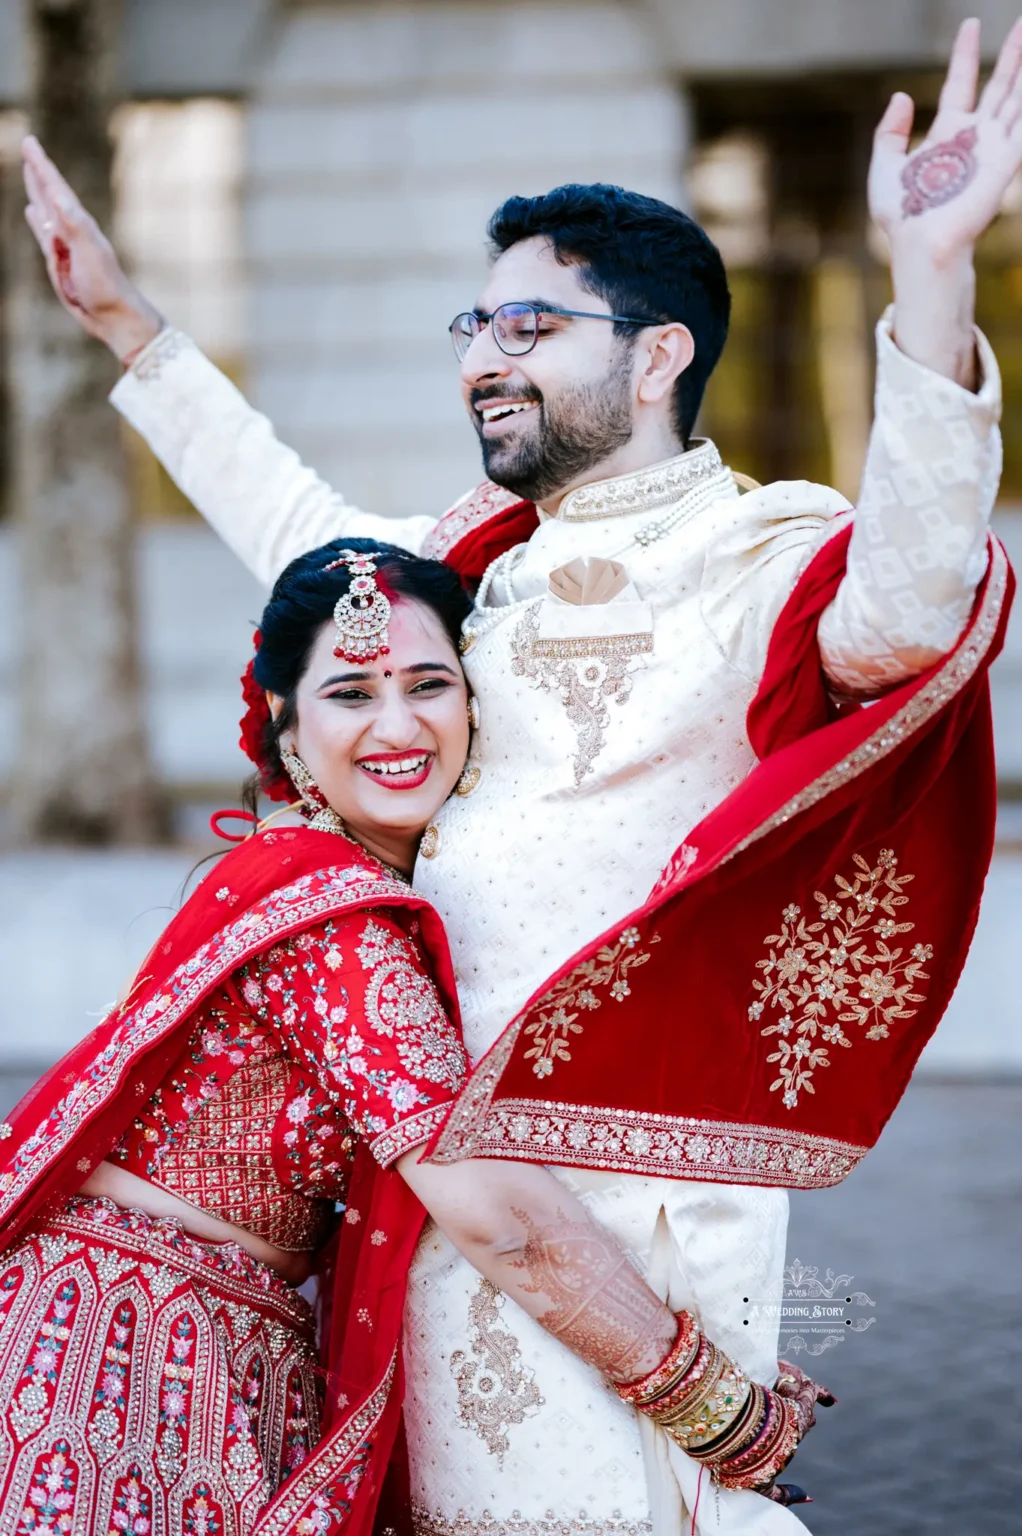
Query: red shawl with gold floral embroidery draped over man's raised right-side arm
x=758, y=1019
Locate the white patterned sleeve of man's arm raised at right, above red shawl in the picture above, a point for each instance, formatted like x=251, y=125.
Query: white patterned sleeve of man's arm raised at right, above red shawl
x=918, y=548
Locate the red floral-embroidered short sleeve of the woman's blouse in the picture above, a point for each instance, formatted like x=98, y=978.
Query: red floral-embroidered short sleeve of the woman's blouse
x=359, y=1010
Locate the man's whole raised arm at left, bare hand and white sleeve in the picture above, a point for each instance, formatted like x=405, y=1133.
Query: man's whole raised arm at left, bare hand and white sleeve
x=254, y=491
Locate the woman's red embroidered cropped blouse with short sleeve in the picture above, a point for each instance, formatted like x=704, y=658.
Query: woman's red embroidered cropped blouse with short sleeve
x=331, y=1036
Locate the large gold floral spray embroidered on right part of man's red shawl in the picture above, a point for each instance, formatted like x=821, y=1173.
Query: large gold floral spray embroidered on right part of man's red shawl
x=821, y=978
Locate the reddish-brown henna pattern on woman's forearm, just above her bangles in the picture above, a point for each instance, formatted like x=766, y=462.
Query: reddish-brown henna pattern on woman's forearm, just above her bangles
x=603, y=1309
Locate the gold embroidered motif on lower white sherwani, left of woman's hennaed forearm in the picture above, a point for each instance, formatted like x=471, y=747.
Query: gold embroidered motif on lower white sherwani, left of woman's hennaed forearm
x=494, y=1388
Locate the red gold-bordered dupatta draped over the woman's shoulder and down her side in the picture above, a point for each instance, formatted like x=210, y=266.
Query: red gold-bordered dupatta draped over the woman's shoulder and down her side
x=274, y=886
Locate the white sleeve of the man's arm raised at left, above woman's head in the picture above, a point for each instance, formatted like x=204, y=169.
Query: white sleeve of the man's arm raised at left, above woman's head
x=254, y=491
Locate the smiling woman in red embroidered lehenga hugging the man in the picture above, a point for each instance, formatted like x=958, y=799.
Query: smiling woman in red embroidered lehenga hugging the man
x=290, y=1048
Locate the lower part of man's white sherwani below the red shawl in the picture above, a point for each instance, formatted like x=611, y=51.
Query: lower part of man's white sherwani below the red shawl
x=511, y=1434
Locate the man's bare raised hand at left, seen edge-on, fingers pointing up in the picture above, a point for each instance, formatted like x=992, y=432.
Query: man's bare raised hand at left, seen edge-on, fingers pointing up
x=82, y=265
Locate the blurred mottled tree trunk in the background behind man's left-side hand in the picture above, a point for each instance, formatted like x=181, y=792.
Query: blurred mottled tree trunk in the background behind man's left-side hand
x=81, y=767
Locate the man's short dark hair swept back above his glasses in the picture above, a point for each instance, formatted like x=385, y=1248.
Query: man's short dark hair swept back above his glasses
x=639, y=254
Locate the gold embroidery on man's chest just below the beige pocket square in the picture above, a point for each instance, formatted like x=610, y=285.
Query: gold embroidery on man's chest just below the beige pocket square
x=586, y=672
